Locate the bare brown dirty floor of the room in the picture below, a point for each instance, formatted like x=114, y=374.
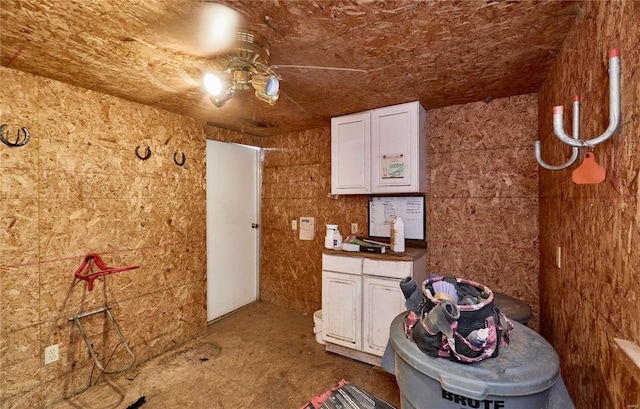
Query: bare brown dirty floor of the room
x=263, y=357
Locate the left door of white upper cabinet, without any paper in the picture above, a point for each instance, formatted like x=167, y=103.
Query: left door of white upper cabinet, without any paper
x=350, y=154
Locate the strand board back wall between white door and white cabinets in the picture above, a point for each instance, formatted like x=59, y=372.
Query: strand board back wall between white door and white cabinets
x=296, y=182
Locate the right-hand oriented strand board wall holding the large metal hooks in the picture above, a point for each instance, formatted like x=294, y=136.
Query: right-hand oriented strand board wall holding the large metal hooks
x=594, y=297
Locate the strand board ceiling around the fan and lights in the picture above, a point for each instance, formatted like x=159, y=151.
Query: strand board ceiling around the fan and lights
x=438, y=52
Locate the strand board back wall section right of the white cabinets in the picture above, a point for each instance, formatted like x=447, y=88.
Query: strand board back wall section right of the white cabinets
x=483, y=195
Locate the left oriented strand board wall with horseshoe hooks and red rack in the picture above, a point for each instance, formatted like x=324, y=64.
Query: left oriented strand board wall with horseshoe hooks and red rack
x=77, y=187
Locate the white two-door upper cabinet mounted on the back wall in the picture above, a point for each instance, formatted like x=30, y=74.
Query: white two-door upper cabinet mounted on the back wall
x=380, y=151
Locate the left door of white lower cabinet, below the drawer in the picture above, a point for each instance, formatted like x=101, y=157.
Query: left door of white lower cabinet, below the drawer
x=342, y=309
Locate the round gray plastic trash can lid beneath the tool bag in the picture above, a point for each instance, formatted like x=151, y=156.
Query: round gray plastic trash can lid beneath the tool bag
x=529, y=365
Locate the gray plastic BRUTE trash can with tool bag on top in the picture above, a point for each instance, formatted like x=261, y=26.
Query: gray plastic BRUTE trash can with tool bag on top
x=525, y=375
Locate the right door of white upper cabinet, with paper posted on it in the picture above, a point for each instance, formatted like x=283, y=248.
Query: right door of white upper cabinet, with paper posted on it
x=398, y=149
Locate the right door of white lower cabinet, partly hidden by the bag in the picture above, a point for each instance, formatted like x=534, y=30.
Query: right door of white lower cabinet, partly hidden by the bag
x=383, y=301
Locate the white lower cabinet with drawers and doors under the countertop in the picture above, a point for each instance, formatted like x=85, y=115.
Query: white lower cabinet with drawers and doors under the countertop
x=360, y=298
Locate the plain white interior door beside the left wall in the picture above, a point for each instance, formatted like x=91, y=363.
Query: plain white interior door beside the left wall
x=233, y=187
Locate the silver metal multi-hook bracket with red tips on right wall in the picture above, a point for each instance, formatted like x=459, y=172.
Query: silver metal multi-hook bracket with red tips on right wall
x=574, y=141
